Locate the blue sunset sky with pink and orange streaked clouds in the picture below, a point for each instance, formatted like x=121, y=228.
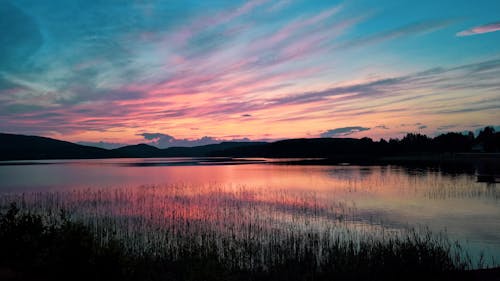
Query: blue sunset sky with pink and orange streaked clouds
x=191, y=72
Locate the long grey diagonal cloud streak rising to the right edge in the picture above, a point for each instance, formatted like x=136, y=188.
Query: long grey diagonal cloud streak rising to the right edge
x=481, y=75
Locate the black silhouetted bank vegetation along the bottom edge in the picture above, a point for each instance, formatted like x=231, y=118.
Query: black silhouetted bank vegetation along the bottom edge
x=35, y=248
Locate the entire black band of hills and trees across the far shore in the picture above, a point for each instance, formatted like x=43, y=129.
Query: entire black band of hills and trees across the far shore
x=19, y=147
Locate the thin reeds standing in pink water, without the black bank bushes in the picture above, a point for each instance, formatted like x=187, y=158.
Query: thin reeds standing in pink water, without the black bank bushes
x=254, y=231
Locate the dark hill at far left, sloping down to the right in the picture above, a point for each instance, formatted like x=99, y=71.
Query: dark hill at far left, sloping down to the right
x=21, y=147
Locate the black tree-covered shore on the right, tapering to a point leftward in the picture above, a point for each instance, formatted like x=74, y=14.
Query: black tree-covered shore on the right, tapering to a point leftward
x=413, y=143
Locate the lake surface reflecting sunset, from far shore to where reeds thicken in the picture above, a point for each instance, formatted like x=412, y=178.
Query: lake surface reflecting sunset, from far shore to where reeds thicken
x=368, y=197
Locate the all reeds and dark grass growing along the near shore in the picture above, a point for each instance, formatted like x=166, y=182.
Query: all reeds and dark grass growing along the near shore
x=209, y=233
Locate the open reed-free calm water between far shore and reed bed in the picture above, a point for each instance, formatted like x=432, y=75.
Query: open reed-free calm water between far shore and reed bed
x=390, y=196
